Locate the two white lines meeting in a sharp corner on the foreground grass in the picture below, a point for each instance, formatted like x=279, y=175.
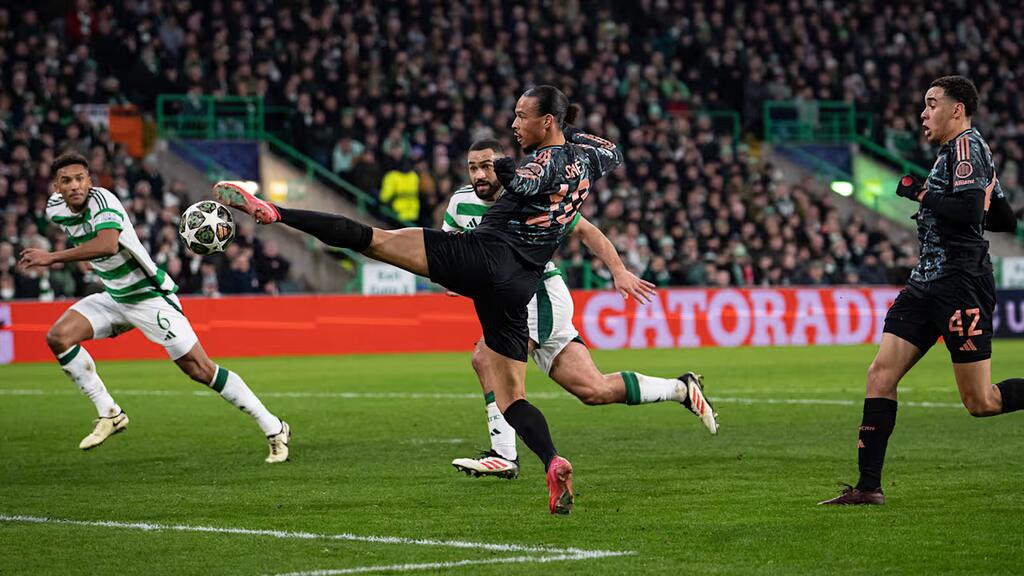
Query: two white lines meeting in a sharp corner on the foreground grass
x=543, y=554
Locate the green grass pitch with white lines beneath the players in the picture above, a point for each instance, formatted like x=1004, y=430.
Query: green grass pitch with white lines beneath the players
x=185, y=490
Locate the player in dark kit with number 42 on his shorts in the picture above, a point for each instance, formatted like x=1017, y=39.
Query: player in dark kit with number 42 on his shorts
x=952, y=293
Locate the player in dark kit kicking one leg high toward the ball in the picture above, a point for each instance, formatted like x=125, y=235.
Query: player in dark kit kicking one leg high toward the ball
x=498, y=265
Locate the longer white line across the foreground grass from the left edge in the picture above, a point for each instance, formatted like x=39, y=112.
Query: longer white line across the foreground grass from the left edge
x=464, y=545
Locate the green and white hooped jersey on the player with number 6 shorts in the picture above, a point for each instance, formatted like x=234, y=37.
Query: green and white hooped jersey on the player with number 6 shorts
x=131, y=276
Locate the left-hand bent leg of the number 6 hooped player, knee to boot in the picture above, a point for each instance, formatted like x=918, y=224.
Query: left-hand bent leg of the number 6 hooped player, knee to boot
x=64, y=340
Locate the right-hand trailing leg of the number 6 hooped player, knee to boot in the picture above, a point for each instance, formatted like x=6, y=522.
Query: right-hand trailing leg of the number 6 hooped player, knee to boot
x=232, y=388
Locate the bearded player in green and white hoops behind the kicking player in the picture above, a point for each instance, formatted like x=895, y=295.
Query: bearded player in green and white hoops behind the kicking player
x=556, y=344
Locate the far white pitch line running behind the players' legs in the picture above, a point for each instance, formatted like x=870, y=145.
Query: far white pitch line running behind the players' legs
x=459, y=396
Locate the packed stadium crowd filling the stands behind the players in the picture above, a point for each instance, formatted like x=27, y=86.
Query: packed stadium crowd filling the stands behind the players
x=391, y=97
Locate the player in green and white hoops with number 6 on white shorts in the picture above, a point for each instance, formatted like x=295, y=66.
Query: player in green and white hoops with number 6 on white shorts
x=138, y=295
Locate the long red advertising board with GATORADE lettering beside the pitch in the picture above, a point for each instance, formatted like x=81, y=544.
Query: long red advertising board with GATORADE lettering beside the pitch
x=423, y=323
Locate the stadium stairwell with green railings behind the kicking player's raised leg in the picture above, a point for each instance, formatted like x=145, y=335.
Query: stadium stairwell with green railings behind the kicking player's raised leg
x=203, y=141
